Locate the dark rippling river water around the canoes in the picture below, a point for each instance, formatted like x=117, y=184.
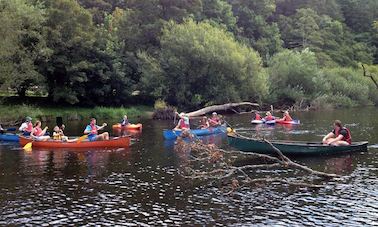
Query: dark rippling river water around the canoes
x=140, y=186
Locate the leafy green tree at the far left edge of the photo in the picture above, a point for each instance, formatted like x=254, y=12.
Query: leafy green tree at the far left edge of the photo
x=22, y=45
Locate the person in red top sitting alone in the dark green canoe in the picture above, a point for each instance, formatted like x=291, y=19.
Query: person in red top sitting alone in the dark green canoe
x=340, y=136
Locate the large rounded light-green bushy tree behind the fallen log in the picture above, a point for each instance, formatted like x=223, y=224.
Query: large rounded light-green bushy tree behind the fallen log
x=203, y=65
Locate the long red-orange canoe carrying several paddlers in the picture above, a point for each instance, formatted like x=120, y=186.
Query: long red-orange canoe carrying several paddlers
x=118, y=142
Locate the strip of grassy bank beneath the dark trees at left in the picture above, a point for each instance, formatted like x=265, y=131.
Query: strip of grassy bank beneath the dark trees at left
x=16, y=113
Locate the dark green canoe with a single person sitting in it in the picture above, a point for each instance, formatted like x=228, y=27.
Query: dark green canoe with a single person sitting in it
x=293, y=147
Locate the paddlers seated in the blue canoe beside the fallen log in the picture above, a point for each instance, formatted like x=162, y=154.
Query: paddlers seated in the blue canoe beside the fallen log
x=184, y=123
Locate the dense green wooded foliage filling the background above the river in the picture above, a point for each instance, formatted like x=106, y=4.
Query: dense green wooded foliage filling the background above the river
x=190, y=53
